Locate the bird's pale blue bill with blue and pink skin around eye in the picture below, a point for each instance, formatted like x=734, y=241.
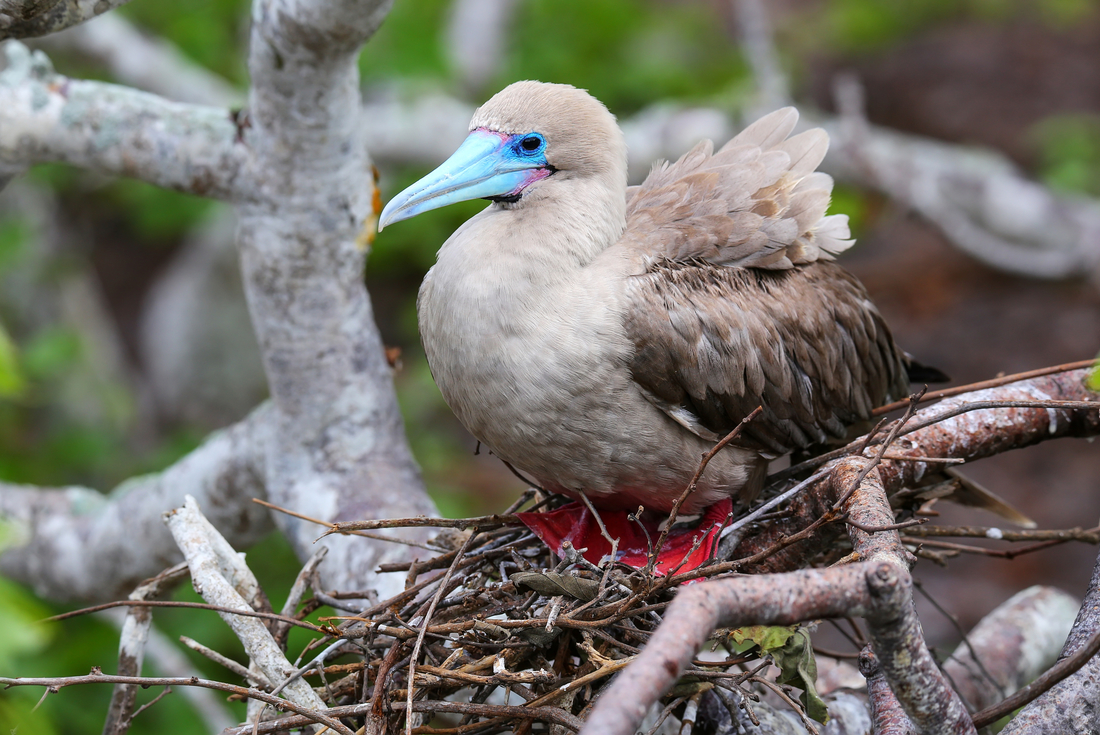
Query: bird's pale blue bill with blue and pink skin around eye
x=488, y=166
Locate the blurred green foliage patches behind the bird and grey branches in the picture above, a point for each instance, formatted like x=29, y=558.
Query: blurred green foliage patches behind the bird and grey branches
x=629, y=53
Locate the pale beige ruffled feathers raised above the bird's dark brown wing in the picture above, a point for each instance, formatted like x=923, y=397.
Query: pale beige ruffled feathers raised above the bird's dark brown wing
x=757, y=203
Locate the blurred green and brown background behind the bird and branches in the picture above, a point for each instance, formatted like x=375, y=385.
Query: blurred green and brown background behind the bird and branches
x=125, y=338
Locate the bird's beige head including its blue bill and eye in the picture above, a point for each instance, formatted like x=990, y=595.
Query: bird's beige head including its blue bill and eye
x=529, y=139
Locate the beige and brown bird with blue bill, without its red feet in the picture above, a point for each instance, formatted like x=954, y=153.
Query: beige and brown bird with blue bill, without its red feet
x=601, y=338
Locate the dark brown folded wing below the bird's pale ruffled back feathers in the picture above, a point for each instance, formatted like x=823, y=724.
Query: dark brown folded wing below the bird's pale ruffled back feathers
x=714, y=343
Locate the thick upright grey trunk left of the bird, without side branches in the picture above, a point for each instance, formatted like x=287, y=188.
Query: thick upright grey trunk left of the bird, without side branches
x=338, y=448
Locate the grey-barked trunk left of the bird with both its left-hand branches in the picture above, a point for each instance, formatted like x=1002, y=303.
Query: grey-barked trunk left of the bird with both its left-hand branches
x=331, y=444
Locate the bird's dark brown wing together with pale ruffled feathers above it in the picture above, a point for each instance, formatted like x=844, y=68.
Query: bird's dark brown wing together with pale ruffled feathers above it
x=735, y=308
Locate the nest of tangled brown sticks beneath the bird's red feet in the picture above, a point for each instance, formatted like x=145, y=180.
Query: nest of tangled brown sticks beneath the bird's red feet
x=498, y=634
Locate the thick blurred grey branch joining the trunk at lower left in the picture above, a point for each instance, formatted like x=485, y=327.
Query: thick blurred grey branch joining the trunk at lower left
x=82, y=545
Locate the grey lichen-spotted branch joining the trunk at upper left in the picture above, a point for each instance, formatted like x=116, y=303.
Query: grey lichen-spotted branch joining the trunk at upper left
x=115, y=130
